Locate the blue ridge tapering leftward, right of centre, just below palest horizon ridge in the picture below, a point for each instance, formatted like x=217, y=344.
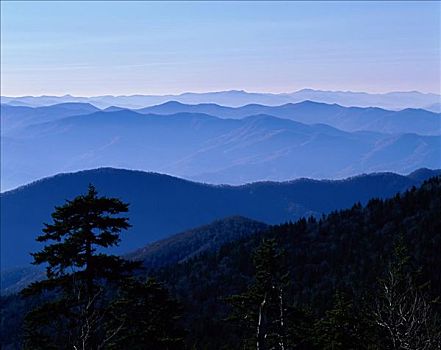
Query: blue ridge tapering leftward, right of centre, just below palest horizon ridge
x=417, y=121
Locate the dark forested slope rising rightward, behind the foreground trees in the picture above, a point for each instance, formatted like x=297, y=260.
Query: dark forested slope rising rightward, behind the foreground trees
x=346, y=252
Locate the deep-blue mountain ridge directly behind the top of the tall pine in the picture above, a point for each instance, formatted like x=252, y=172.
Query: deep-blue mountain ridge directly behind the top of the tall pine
x=161, y=205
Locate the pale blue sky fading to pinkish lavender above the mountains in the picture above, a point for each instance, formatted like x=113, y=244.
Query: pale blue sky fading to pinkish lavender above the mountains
x=96, y=48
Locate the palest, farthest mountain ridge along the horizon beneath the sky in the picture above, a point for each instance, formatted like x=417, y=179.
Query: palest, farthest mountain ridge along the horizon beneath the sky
x=235, y=98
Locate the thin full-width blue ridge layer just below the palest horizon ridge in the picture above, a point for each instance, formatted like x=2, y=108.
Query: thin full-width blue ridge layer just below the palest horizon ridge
x=409, y=120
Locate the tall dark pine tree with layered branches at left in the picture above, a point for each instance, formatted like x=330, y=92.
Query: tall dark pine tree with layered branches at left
x=79, y=276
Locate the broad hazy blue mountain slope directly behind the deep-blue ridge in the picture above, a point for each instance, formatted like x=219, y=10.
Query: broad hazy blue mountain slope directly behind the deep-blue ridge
x=208, y=149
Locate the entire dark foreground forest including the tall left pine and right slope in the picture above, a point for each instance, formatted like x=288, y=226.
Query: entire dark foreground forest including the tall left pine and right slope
x=361, y=278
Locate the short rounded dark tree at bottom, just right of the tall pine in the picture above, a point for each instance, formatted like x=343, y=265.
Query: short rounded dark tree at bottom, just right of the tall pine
x=145, y=317
